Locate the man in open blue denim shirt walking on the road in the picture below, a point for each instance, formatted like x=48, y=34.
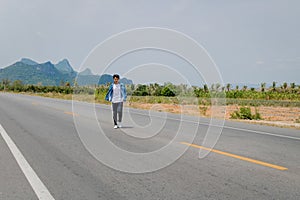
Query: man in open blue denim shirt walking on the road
x=117, y=95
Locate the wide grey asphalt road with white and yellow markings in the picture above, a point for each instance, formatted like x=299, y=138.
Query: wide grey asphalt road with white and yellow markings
x=247, y=162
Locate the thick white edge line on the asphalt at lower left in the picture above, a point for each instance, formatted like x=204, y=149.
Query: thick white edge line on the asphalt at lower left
x=37, y=185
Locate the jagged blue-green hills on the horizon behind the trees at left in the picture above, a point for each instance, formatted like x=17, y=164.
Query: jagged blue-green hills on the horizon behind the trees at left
x=31, y=72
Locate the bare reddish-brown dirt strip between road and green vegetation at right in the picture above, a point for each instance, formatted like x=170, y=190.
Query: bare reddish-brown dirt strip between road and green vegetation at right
x=276, y=116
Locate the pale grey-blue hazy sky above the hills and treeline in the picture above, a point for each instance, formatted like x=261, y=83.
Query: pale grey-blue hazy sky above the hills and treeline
x=250, y=41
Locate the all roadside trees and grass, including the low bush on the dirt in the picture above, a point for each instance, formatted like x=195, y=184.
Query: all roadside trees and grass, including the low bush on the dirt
x=245, y=99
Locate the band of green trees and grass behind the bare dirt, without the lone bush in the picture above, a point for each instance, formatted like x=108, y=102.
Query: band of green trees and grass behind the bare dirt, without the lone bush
x=283, y=95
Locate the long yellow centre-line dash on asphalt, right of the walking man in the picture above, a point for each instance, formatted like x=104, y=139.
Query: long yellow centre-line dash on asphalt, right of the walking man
x=237, y=156
